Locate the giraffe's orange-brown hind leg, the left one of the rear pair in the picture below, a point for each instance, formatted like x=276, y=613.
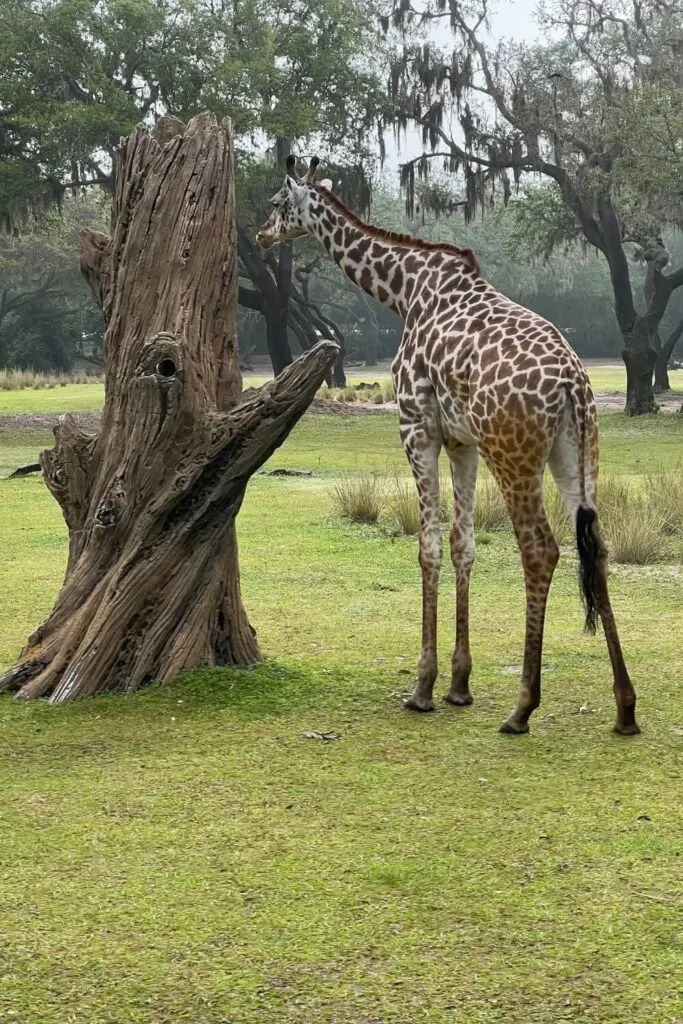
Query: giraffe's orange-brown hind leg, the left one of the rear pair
x=540, y=556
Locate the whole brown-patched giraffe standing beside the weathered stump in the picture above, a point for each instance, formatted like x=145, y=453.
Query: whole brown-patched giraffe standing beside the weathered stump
x=479, y=376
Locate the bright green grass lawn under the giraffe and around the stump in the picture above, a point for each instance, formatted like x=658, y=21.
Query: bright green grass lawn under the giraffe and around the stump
x=188, y=856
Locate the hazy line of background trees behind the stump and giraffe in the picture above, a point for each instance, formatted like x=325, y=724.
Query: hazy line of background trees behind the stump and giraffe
x=566, y=180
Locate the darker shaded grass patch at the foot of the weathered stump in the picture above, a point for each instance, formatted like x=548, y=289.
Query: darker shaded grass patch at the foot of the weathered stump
x=151, y=724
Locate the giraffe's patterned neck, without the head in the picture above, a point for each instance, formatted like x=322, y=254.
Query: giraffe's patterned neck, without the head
x=385, y=270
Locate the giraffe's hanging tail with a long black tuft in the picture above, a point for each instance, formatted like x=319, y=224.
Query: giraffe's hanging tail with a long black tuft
x=589, y=543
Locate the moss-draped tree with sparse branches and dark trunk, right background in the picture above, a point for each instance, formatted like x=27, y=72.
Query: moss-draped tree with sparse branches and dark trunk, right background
x=596, y=109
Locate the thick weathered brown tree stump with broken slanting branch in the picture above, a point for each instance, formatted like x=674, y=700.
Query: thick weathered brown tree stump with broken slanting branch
x=153, y=581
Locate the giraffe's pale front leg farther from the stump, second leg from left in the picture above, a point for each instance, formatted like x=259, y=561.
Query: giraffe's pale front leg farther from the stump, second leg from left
x=464, y=461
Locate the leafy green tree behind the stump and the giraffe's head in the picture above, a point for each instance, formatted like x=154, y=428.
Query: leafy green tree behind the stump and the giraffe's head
x=79, y=74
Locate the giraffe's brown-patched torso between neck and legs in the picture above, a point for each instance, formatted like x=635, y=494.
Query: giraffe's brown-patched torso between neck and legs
x=495, y=374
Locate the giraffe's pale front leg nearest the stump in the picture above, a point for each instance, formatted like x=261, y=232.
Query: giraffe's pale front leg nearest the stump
x=423, y=451
